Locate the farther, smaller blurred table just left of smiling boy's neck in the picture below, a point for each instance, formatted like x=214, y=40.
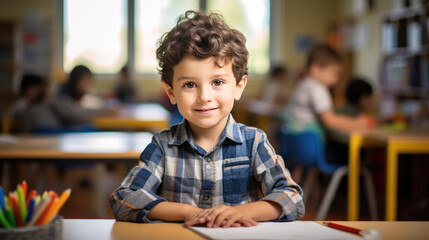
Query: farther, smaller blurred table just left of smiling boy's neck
x=142, y=116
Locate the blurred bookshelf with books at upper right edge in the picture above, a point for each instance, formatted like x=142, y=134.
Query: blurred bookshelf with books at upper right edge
x=405, y=63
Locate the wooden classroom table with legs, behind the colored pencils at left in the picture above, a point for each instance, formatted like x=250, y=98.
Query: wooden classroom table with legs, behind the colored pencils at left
x=98, y=148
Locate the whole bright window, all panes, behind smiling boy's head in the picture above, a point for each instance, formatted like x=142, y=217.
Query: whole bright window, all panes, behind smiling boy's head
x=96, y=32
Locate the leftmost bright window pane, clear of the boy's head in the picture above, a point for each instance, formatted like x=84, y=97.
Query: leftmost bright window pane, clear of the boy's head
x=95, y=34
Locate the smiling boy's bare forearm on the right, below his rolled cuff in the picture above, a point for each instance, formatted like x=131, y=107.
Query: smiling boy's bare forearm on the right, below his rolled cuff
x=261, y=210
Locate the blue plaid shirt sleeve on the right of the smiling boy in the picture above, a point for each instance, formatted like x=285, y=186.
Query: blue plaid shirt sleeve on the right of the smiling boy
x=274, y=179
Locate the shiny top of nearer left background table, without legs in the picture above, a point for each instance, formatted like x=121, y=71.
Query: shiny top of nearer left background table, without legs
x=96, y=145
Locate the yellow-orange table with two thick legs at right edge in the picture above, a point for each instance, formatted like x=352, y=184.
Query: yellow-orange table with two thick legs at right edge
x=411, y=141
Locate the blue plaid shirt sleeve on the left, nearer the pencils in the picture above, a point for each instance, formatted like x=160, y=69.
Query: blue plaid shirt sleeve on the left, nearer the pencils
x=136, y=196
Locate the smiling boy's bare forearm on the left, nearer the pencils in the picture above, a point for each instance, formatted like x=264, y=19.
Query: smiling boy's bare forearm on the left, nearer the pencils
x=171, y=211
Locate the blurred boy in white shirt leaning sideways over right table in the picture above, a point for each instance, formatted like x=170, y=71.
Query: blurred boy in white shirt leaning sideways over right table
x=310, y=106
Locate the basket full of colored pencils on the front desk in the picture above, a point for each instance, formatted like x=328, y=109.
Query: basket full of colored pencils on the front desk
x=31, y=216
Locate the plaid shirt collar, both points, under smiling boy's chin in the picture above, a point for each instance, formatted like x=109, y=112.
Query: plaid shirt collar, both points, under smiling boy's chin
x=183, y=134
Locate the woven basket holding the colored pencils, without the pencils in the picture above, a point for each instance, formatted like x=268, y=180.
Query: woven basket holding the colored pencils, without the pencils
x=45, y=232
